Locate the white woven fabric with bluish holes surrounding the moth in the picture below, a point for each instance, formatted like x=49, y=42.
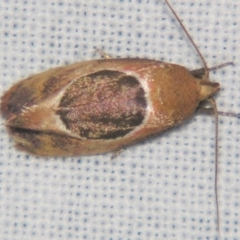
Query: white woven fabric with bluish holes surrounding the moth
x=160, y=189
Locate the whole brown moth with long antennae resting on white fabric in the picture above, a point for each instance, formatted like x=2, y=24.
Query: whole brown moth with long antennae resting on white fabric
x=103, y=105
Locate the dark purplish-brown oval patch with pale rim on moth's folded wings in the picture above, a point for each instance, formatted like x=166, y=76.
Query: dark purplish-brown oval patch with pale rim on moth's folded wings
x=103, y=105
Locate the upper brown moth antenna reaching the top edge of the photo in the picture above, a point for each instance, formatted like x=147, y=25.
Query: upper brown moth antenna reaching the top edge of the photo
x=206, y=72
